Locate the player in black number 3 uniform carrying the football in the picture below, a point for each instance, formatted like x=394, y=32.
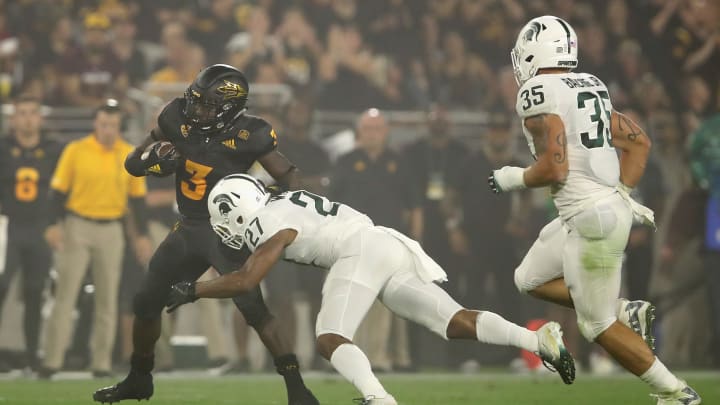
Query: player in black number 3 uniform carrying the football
x=212, y=137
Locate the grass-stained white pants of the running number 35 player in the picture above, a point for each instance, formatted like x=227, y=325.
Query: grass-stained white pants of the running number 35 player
x=587, y=251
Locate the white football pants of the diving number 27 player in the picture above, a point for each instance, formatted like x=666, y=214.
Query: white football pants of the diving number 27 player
x=383, y=268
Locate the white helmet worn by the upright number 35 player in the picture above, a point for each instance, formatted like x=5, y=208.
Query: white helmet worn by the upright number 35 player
x=544, y=42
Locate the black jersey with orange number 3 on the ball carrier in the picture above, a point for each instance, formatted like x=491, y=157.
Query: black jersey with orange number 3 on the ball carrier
x=206, y=160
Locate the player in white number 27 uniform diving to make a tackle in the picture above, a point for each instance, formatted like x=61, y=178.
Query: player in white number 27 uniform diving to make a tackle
x=366, y=262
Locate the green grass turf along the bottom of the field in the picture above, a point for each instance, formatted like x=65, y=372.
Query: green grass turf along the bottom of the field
x=421, y=389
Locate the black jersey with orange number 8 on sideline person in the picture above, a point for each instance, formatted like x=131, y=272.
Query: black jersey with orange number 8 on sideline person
x=25, y=178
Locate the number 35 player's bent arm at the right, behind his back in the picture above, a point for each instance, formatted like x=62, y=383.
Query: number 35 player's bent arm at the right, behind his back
x=634, y=146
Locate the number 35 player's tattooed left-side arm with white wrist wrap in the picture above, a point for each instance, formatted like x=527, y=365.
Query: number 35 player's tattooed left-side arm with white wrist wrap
x=551, y=166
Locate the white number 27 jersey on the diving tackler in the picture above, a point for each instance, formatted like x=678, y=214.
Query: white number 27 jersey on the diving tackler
x=322, y=227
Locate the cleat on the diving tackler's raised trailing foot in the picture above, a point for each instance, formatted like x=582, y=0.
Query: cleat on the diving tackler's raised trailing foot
x=553, y=353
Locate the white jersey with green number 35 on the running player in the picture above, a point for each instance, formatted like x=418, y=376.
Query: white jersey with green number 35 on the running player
x=583, y=103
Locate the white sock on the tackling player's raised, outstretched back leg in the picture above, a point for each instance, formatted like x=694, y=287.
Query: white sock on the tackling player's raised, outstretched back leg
x=493, y=328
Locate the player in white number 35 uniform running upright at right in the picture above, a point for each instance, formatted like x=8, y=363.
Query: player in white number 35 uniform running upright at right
x=575, y=136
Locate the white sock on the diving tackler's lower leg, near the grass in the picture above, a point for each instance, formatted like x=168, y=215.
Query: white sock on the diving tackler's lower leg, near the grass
x=352, y=364
